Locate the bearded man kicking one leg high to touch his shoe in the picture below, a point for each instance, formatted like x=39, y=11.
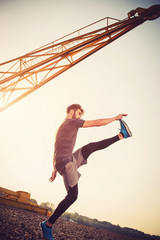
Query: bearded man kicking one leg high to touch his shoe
x=67, y=163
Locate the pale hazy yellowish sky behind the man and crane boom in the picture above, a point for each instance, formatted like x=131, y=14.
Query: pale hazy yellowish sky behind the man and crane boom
x=120, y=184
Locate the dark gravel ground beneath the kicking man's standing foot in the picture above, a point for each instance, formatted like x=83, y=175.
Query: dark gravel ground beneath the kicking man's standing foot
x=19, y=224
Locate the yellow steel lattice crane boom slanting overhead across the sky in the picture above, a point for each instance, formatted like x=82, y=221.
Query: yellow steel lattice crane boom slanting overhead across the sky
x=25, y=74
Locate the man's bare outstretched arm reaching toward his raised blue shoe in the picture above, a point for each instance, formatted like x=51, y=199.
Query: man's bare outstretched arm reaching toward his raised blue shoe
x=102, y=122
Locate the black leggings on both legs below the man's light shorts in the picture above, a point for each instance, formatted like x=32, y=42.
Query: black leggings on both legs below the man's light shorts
x=72, y=193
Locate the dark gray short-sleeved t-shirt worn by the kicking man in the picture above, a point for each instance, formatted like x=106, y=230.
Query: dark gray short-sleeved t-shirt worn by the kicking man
x=65, y=141
